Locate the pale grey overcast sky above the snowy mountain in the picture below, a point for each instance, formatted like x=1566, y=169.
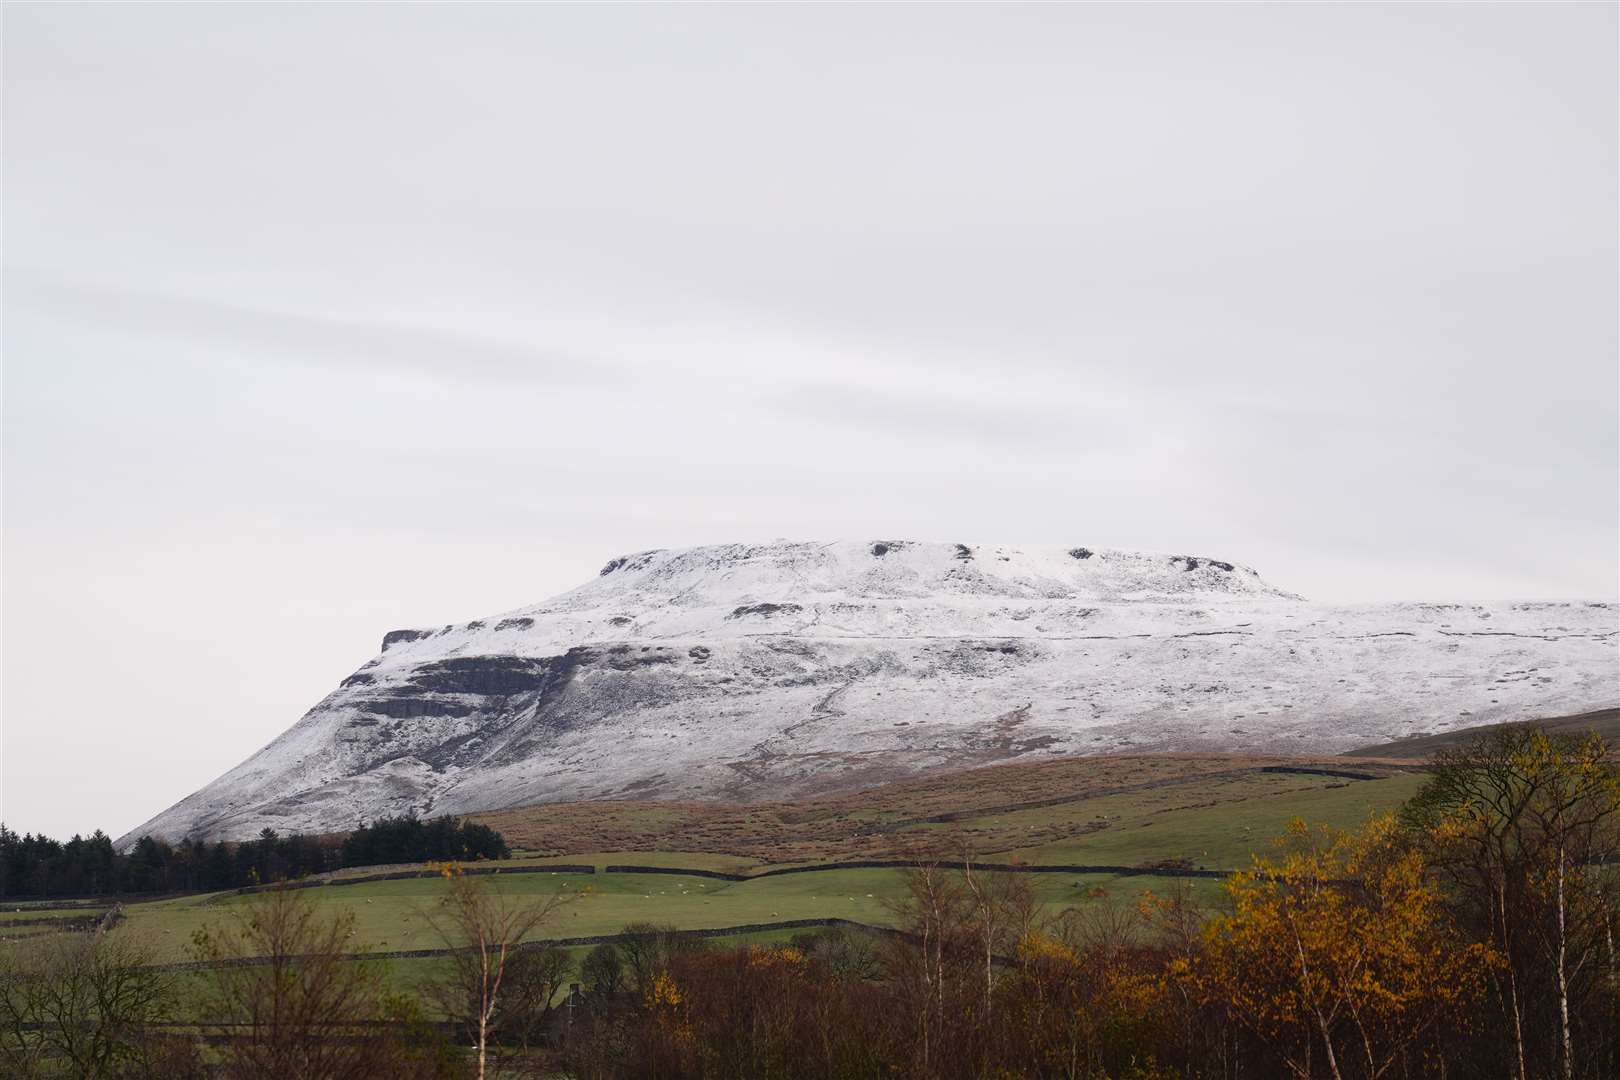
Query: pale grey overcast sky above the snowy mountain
x=323, y=321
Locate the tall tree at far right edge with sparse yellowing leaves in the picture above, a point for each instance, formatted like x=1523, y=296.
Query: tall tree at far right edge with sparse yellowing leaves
x=1524, y=830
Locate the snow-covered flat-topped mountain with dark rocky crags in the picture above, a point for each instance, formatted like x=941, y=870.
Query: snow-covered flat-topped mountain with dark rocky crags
x=757, y=671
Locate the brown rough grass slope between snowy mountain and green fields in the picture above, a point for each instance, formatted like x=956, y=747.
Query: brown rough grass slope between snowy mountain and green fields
x=1064, y=804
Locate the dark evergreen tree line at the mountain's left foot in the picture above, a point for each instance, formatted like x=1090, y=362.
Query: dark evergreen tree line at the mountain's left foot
x=41, y=869
